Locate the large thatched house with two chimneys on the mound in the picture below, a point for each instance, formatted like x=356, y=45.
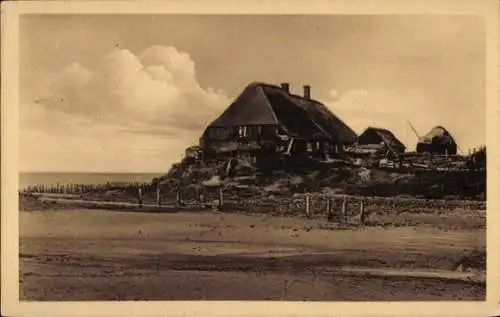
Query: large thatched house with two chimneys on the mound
x=270, y=116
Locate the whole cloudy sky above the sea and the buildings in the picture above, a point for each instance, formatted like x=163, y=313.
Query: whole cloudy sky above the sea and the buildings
x=128, y=93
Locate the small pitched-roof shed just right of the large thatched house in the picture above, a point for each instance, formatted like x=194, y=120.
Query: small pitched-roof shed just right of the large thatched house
x=378, y=140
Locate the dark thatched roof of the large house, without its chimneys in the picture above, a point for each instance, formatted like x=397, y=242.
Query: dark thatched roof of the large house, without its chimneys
x=264, y=104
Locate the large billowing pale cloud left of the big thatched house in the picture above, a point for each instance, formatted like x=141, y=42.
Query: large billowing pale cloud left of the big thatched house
x=154, y=90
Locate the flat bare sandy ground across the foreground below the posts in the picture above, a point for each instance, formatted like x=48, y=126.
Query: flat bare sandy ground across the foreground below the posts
x=110, y=255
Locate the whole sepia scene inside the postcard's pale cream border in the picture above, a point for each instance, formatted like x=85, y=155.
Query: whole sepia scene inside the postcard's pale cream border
x=252, y=157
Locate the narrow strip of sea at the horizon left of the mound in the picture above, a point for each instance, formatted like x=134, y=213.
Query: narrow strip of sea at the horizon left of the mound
x=52, y=178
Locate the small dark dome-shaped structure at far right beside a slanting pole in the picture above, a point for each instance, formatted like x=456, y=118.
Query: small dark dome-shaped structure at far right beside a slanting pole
x=437, y=141
